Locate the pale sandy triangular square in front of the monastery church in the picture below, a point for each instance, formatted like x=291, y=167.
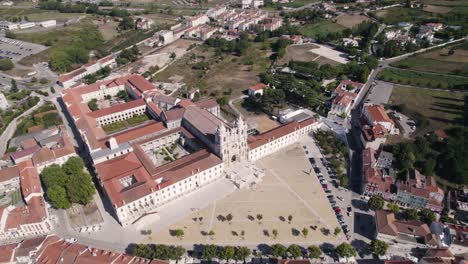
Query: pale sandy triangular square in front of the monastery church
x=287, y=189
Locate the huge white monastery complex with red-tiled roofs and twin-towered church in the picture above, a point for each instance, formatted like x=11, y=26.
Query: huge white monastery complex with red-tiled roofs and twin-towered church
x=133, y=176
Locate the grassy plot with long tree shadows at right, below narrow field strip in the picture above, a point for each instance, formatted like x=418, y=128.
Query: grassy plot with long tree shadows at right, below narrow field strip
x=441, y=109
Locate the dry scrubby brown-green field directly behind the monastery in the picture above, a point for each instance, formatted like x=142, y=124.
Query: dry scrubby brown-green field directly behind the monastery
x=218, y=74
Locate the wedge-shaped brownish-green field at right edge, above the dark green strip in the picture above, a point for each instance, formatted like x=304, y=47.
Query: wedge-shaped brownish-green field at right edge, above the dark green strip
x=439, y=61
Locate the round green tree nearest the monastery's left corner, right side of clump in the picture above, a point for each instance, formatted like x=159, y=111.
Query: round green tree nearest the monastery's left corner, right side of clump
x=80, y=188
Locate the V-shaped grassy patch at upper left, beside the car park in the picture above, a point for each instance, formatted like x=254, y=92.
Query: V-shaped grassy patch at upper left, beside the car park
x=57, y=39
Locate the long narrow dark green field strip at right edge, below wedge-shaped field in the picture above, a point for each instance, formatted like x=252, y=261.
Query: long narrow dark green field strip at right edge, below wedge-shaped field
x=424, y=79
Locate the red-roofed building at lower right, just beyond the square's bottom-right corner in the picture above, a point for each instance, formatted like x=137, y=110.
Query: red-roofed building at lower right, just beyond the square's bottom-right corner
x=415, y=233
